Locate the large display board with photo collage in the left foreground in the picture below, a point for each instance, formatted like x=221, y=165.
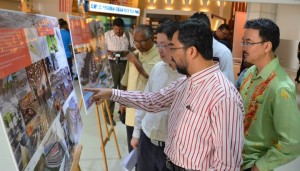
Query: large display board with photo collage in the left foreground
x=38, y=106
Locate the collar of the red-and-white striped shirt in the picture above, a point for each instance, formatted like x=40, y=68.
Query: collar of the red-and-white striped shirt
x=204, y=74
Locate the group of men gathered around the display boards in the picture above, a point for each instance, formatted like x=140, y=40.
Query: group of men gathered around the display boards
x=183, y=110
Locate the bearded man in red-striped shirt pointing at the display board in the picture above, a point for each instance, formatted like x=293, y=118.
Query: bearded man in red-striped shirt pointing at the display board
x=205, y=127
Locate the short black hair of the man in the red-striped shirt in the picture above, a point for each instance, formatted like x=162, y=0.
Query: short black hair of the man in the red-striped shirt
x=197, y=33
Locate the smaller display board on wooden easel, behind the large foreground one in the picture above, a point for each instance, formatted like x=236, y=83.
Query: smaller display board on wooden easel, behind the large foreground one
x=90, y=55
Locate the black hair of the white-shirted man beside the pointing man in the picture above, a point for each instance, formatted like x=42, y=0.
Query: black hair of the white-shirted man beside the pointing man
x=168, y=28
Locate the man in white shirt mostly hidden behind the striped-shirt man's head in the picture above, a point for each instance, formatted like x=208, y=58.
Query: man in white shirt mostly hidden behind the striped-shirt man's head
x=220, y=51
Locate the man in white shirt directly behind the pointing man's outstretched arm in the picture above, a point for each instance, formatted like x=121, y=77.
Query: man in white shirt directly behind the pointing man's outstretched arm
x=150, y=131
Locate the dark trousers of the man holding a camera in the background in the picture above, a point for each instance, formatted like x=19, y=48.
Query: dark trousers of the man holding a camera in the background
x=117, y=71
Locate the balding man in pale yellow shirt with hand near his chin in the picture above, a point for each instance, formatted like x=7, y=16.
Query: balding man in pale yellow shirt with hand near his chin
x=139, y=65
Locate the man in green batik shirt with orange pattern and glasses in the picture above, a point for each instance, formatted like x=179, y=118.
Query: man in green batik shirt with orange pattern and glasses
x=272, y=117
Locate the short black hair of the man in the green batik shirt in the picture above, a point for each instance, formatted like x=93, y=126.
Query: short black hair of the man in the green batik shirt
x=268, y=30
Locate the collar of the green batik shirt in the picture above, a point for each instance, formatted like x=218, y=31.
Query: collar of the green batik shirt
x=266, y=72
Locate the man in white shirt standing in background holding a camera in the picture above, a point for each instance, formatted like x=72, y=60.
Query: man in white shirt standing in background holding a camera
x=117, y=43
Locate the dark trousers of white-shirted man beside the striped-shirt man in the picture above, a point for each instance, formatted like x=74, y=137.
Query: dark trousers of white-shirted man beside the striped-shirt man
x=150, y=156
